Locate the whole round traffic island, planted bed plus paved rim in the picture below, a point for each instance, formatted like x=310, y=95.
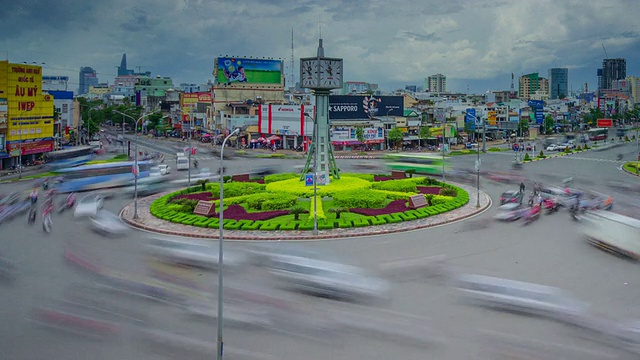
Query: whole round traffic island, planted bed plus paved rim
x=280, y=207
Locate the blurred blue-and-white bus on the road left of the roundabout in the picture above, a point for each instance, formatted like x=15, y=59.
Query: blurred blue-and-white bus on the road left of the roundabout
x=100, y=176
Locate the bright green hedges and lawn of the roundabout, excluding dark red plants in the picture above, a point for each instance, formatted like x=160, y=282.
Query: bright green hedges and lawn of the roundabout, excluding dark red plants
x=347, y=192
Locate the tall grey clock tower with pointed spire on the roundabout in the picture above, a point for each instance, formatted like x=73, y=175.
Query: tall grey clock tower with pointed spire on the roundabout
x=321, y=74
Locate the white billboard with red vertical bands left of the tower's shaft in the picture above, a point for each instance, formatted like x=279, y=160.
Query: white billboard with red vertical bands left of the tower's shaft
x=285, y=120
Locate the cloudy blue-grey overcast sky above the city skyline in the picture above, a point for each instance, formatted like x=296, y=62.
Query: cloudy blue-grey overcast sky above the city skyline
x=475, y=43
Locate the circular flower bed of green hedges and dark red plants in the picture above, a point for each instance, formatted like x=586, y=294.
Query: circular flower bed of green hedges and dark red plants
x=254, y=206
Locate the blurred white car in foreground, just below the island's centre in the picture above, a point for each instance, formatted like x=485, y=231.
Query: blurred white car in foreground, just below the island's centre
x=328, y=279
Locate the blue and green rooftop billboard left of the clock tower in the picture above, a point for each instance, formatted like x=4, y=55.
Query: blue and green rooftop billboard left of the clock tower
x=229, y=70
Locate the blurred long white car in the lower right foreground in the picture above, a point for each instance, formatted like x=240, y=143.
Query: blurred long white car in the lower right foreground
x=523, y=297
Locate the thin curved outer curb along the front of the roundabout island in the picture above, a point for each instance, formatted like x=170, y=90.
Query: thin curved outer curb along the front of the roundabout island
x=278, y=237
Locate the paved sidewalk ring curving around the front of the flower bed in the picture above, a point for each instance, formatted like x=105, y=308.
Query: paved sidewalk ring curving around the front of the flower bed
x=150, y=223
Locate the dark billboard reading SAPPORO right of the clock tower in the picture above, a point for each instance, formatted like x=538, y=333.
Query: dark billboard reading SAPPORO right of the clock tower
x=345, y=107
